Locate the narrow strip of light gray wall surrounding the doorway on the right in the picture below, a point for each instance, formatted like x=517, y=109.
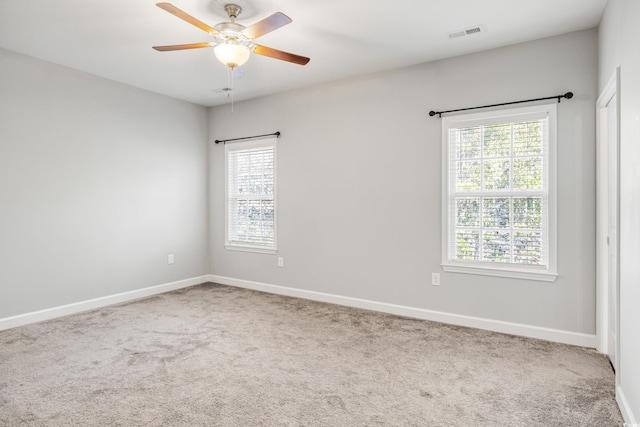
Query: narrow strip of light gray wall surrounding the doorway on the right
x=619, y=36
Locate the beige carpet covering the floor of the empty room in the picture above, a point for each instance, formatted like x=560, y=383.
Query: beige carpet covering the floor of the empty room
x=213, y=355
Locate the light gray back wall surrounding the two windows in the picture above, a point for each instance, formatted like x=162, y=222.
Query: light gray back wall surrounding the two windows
x=359, y=184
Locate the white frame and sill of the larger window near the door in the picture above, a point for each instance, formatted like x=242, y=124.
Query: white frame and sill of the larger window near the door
x=547, y=273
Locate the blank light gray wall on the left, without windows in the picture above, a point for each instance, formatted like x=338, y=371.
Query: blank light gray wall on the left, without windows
x=98, y=182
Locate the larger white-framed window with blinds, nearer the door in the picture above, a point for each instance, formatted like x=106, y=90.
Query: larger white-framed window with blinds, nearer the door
x=499, y=215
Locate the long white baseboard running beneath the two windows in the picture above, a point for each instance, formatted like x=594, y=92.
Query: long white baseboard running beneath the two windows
x=566, y=337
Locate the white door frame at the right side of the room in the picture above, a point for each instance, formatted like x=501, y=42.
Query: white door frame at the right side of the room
x=603, y=302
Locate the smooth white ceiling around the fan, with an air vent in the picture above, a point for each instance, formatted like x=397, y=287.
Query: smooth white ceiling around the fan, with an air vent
x=343, y=38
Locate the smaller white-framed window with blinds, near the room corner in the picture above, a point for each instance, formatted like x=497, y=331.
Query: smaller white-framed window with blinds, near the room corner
x=250, y=195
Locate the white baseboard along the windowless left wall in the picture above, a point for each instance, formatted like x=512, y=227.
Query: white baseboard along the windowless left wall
x=64, y=310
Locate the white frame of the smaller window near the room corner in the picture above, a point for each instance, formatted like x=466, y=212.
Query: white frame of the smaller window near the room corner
x=249, y=146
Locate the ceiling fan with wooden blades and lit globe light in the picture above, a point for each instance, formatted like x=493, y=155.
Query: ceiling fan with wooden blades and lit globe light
x=233, y=43
